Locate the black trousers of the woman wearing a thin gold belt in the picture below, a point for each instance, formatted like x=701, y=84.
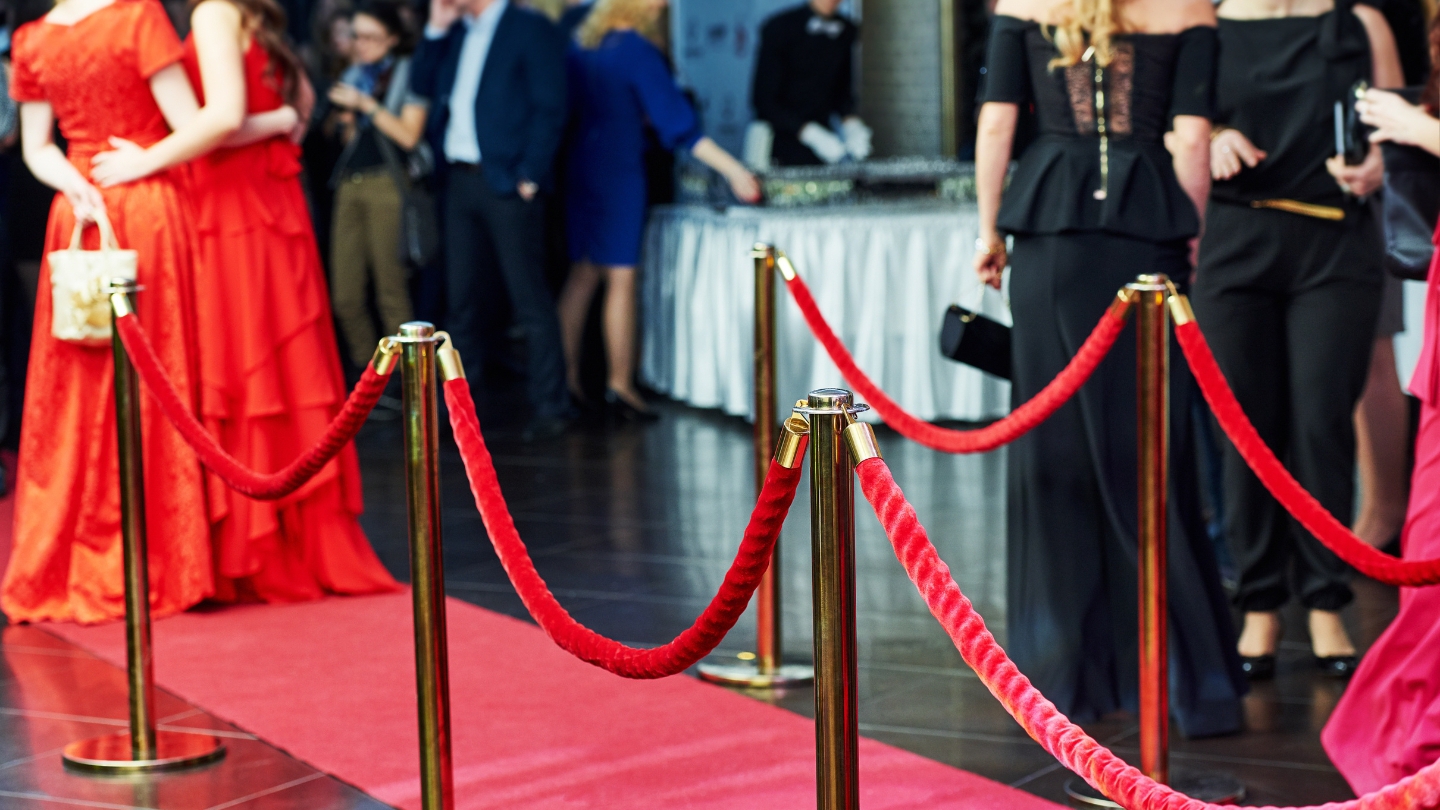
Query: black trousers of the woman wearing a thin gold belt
x=1290, y=306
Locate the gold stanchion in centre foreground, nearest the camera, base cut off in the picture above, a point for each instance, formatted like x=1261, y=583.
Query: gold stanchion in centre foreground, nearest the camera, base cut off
x=833, y=573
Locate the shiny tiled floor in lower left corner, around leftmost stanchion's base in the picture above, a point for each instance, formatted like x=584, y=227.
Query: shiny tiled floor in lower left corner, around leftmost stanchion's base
x=54, y=694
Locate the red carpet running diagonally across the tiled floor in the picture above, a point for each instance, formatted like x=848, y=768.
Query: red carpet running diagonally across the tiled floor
x=333, y=684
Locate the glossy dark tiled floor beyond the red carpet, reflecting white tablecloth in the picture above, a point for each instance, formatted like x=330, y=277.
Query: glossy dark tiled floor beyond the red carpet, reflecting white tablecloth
x=634, y=528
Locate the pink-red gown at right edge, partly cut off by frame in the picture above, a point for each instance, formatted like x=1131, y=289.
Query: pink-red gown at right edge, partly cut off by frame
x=1387, y=726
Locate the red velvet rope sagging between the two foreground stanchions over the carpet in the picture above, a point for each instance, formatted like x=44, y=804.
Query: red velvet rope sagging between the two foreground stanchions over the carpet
x=574, y=638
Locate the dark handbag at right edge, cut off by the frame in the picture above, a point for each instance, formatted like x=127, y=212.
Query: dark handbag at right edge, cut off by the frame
x=1410, y=207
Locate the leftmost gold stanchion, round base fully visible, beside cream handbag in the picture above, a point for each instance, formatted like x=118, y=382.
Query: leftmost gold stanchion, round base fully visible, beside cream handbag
x=142, y=749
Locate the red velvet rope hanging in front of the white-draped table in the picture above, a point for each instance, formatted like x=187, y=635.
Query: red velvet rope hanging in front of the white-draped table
x=1017, y=424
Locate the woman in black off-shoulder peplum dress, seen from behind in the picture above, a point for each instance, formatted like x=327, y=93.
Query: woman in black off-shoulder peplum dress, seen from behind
x=1089, y=213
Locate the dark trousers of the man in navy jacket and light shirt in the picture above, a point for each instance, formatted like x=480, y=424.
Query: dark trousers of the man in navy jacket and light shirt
x=489, y=234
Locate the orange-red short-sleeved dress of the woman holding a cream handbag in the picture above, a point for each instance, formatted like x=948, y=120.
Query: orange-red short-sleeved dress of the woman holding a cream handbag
x=67, y=557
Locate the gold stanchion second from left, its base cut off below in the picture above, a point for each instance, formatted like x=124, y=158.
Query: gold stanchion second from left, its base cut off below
x=423, y=494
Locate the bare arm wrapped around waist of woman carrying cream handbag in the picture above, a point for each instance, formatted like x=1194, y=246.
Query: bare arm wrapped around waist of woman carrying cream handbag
x=217, y=28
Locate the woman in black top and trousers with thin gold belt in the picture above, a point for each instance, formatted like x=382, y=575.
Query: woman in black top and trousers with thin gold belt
x=1290, y=290
